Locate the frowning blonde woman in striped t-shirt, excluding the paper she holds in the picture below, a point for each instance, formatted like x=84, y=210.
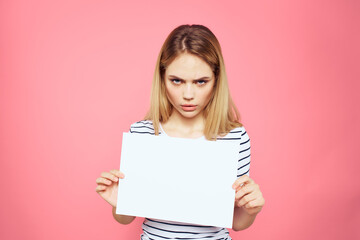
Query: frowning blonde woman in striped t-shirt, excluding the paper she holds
x=190, y=99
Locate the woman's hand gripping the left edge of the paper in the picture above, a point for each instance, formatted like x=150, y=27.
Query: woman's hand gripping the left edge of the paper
x=108, y=185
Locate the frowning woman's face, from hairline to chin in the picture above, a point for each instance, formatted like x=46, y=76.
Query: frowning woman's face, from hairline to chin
x=189, y=83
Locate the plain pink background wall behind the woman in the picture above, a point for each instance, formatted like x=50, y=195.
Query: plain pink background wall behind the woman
x=75, y=74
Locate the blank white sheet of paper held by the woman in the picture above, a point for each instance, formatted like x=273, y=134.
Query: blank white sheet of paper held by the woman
x=178, y=179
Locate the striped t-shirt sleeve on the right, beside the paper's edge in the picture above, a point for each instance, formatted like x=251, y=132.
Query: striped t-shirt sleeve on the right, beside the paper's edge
x=244, y=154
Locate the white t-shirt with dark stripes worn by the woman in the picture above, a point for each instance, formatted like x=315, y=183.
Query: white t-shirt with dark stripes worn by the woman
x=155, y=229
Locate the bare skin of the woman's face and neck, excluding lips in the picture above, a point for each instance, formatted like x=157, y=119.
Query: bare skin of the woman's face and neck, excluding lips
x=184, y=87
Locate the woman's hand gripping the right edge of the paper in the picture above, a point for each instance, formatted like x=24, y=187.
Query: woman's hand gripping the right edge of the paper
x=248, y=195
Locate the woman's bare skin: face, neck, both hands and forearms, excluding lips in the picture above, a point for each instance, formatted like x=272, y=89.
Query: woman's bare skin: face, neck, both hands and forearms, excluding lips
x=183, y=86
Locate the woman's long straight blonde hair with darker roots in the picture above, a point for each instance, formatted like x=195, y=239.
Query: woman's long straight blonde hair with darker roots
x=221, y=114
